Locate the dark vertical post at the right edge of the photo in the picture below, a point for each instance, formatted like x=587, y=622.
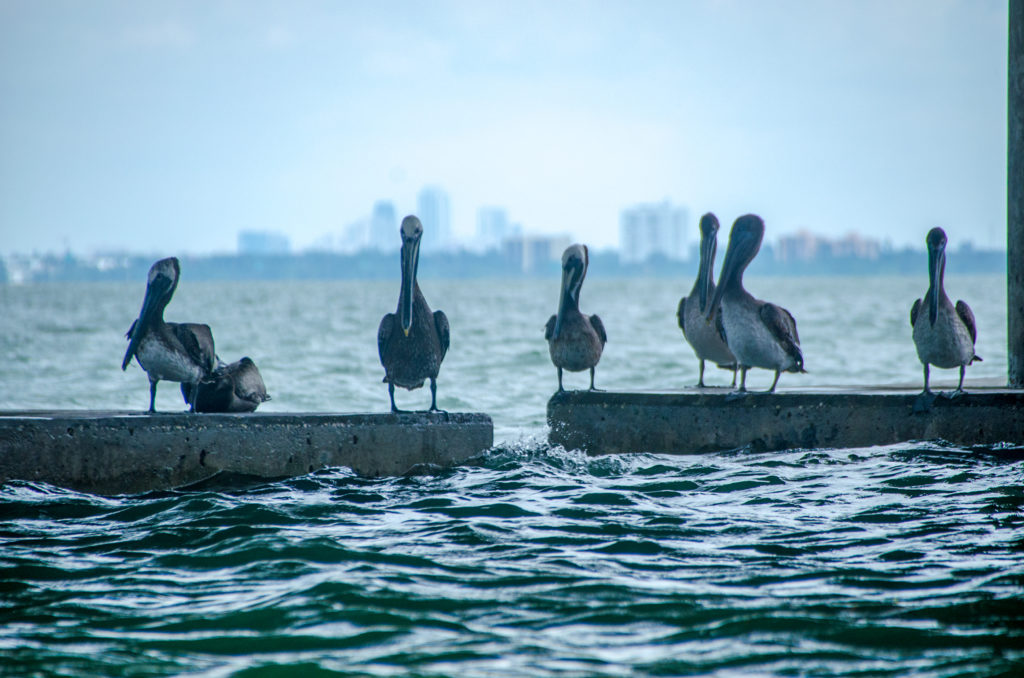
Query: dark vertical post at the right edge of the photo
x=1015, y=196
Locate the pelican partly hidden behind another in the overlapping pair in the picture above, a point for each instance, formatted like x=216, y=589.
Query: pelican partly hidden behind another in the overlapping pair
x=708, y=341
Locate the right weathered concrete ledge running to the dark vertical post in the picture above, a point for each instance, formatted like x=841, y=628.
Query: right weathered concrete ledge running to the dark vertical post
x=709, y=419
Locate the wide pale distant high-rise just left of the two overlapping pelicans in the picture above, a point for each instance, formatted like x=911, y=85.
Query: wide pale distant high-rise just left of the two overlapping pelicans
x=654, y=229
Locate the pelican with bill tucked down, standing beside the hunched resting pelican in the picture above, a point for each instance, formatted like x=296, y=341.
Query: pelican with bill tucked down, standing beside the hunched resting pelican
x=173, y=352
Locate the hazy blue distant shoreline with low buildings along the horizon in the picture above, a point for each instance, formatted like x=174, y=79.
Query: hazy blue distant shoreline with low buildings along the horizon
x=263, y=258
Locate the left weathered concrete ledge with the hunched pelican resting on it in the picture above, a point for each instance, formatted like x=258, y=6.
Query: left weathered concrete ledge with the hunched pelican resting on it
x=124, y=453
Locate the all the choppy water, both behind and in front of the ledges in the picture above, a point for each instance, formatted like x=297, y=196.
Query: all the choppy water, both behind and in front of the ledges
x=899, y=561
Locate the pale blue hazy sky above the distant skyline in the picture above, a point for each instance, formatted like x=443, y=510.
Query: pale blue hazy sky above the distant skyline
x=166, y=128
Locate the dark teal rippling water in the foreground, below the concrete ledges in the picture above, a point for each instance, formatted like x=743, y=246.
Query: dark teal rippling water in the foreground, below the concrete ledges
x=885, y=562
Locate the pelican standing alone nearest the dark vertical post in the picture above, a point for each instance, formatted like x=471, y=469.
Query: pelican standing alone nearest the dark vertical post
x=945, y=337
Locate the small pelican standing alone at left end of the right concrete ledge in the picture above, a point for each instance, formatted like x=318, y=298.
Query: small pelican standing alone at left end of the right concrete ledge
x=575, y=341
